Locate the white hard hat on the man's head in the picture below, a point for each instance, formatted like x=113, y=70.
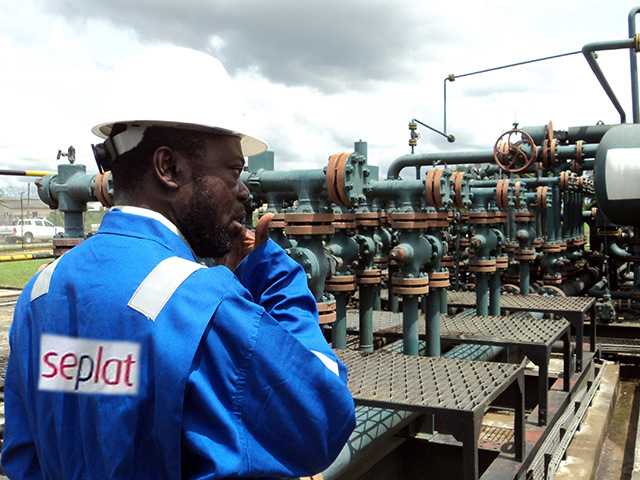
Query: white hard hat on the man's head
x=173, y=87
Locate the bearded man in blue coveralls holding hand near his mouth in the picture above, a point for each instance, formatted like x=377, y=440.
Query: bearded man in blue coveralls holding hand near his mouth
x=131, y=360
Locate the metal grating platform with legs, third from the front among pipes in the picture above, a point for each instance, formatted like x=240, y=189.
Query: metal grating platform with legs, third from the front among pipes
x=573, y=309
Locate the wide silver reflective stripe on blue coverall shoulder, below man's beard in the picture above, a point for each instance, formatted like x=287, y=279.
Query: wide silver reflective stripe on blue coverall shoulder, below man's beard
x=156, y=290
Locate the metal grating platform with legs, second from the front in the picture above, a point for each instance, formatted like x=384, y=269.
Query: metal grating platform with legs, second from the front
x=534, y=337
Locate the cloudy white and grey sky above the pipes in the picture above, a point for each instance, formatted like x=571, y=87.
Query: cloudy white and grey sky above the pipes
x=318, y=75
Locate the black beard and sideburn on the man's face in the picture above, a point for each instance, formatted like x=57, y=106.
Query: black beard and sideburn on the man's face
x=199, y=224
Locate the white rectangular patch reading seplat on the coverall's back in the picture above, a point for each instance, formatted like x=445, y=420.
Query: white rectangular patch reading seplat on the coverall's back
x=79, y=365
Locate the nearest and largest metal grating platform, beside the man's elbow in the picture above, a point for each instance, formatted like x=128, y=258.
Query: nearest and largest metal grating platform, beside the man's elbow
x=457, y=392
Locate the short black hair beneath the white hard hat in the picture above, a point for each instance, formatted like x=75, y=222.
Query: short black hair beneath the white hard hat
x=130, y=167
